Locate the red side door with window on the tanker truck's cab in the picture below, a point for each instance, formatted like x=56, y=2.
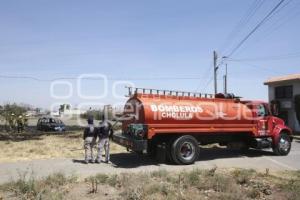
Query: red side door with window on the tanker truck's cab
x=264, y=123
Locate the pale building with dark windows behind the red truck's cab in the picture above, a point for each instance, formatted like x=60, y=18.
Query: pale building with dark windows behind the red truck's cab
x=284, y=93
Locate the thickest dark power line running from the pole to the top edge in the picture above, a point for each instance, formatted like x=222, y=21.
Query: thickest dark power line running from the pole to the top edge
x=267, y=17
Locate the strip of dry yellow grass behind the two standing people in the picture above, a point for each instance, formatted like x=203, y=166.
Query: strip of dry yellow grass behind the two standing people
x=65, y=145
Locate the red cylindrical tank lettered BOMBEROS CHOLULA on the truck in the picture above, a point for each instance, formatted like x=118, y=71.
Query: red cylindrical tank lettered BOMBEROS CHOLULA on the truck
x=188, y=112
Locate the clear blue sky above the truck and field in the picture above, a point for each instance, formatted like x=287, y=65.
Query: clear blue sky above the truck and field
x=140, y=39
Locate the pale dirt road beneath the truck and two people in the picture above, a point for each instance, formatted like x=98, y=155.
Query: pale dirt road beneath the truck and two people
x=130, y=162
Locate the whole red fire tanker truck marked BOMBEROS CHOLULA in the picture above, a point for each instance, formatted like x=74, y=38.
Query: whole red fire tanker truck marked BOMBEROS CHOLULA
x=173, y=124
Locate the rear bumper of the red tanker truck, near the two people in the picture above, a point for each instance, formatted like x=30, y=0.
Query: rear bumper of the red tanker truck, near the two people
x=130, y=143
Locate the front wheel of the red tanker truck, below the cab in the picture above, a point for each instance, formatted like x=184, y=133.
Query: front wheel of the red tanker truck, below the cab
x=283, y=146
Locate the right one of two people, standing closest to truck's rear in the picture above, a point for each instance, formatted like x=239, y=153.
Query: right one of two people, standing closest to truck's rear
x=104, y=132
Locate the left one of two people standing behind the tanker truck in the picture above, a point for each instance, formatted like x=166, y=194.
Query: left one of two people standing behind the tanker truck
x=89, y=137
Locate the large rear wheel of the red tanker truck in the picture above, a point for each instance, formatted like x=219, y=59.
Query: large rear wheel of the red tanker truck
x=185, y=150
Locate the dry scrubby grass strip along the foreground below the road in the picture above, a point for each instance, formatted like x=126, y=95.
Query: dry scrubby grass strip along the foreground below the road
x=196, y=184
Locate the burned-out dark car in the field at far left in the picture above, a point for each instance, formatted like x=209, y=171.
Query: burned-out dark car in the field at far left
x=50, y=124
